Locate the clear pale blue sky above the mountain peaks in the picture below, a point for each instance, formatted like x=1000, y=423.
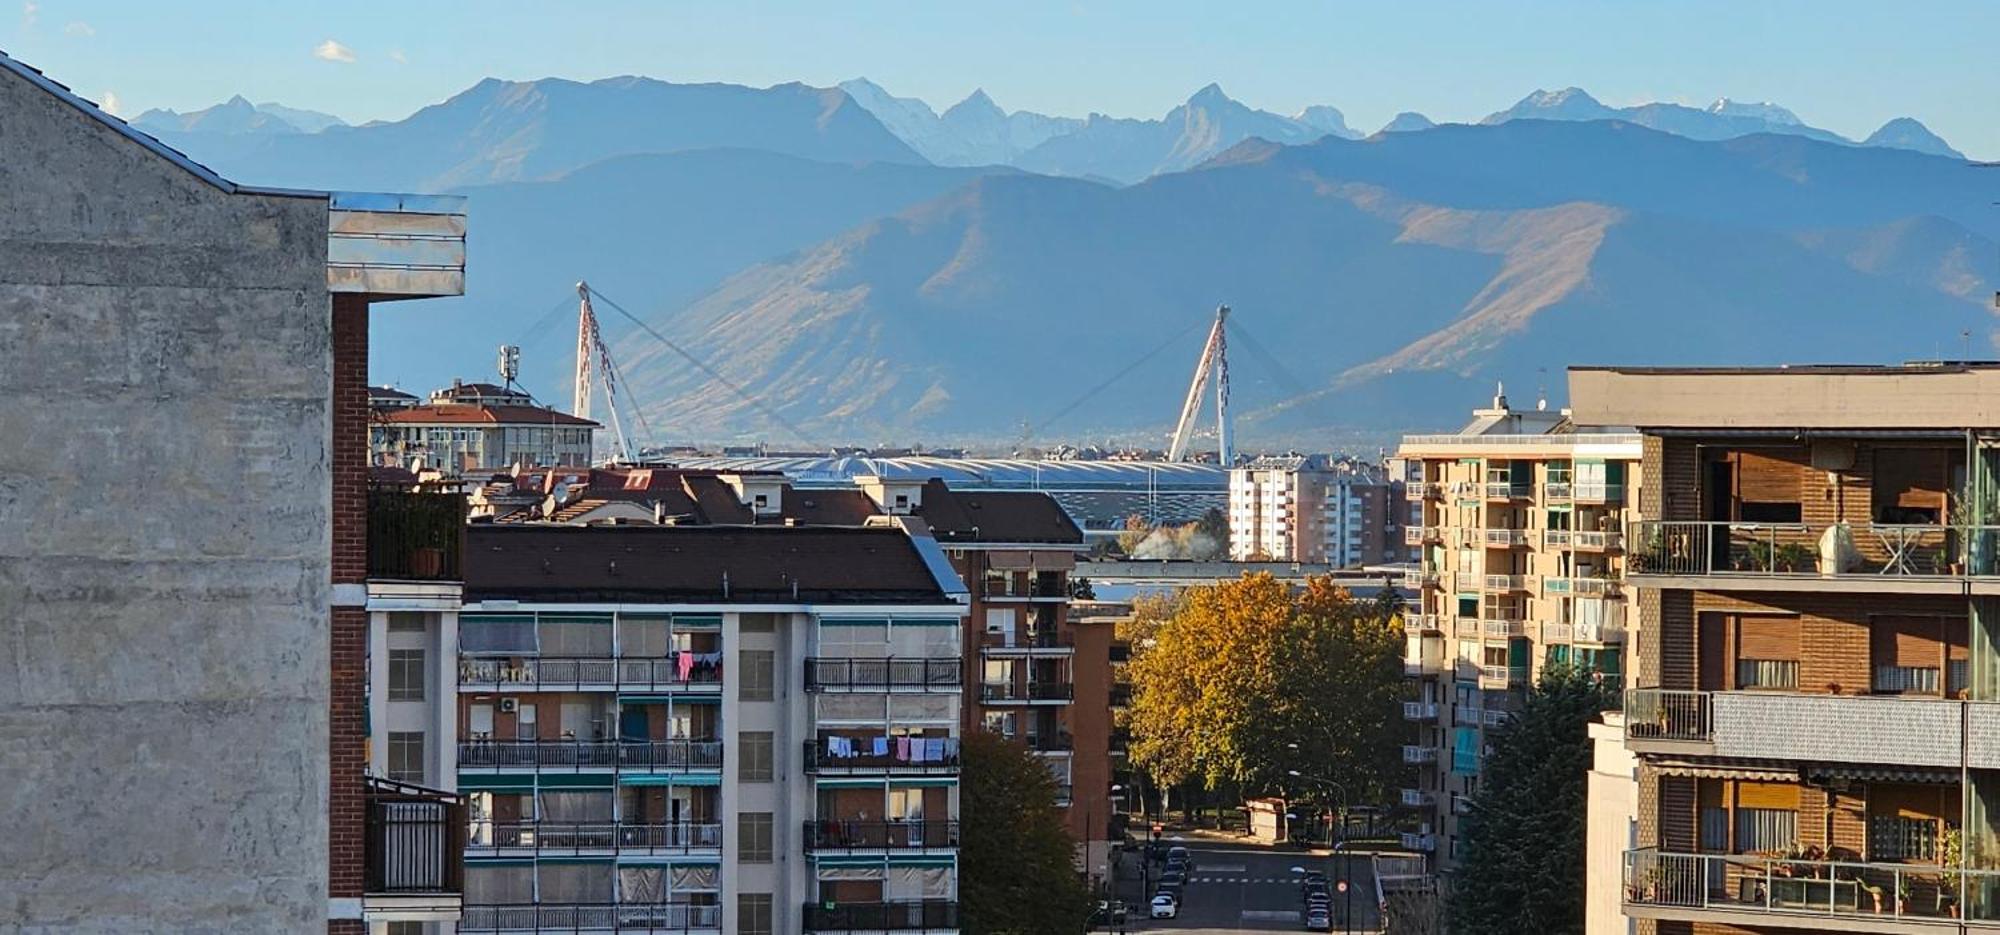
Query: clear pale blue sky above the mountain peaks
x=1841, y=65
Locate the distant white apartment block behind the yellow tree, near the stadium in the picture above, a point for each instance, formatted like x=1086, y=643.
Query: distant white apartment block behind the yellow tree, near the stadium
x=1313, y=508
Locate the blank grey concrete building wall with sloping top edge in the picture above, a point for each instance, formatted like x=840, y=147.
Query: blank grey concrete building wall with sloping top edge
x=163, y=612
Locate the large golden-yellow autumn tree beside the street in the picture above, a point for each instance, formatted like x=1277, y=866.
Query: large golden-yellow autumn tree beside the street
x=1249, y=682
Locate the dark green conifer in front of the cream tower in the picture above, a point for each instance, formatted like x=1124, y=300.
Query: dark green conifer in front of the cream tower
x=1525, y=838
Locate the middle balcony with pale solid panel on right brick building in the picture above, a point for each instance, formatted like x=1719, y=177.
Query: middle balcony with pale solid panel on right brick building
x=1921, y=732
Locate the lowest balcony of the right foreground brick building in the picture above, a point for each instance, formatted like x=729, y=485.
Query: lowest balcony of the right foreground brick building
x=1811, y=896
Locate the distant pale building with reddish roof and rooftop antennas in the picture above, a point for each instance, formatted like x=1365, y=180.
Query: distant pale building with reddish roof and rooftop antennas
x=469, y=427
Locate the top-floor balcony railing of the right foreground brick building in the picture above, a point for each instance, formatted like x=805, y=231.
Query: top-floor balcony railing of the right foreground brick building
x=1813, y=550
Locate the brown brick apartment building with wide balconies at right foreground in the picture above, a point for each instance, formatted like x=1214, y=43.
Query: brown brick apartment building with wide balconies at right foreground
x=1815, y=722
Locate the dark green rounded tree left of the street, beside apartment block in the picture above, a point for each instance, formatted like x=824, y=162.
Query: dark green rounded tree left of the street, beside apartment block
x=1017, y=862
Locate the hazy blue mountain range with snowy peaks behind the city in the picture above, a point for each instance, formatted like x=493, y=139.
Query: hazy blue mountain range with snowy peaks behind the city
x=953, y=277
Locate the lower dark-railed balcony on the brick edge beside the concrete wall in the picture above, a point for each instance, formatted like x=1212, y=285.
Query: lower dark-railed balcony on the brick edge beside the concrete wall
x=413, y=852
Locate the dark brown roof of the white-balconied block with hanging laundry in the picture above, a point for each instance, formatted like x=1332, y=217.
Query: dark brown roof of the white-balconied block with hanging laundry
x=697, y=564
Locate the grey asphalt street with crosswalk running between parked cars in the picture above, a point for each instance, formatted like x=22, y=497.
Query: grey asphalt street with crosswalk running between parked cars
x=1247, y=888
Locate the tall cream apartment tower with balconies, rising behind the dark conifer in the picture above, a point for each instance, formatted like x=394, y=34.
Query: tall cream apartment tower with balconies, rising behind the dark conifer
x=1521, y=520
